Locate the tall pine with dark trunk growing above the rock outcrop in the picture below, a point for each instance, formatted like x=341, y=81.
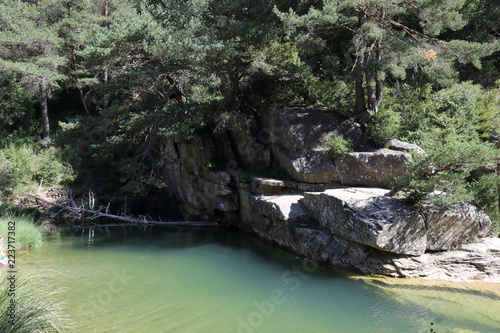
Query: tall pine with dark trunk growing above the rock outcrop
x=388, y=37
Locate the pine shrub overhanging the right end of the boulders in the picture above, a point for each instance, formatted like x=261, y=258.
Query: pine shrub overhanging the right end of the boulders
x=444, y=170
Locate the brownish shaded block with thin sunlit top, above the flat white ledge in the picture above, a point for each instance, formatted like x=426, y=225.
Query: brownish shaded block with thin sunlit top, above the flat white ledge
x=379, y=168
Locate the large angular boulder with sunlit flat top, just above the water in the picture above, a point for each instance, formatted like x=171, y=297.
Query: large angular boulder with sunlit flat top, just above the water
x=365, y=215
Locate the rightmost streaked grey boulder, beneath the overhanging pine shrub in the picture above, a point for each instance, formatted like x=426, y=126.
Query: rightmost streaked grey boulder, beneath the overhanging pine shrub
x=449, y=226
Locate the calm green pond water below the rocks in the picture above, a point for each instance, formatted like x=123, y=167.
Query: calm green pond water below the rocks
x=199, y=280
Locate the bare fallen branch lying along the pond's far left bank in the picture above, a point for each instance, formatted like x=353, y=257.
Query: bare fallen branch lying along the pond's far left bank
x=95, y=214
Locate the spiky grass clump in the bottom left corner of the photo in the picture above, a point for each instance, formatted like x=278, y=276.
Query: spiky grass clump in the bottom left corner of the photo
x=37, y=306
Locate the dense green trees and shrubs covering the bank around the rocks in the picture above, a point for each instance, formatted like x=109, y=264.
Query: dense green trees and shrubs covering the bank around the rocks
x=91, y=90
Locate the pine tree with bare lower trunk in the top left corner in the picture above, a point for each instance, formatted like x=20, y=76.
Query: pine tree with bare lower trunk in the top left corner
x=30, y=46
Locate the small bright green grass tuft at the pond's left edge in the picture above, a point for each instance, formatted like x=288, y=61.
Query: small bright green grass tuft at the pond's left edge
x=27, y=233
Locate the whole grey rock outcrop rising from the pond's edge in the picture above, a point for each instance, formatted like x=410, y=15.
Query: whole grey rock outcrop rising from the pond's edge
x=335, y=212
